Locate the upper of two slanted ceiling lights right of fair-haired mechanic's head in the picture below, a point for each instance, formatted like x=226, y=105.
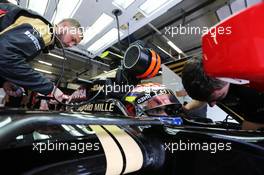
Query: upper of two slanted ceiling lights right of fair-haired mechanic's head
x=99, y=25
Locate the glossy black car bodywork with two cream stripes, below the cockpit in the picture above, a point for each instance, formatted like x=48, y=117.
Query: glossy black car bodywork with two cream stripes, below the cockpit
x=30, y=141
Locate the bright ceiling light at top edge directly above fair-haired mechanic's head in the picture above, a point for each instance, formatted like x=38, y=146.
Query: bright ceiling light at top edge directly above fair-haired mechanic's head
x=65, y=9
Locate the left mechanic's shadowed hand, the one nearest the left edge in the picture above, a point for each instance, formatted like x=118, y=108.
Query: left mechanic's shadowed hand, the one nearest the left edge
x=13, y=90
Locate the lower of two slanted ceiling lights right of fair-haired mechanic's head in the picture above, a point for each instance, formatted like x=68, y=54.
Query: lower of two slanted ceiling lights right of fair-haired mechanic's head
x=104, y=41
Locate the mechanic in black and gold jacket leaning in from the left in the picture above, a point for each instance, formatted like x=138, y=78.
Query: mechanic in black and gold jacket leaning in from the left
x=23, y=36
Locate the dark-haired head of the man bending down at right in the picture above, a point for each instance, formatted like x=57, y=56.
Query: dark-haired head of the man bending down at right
x=200, y=86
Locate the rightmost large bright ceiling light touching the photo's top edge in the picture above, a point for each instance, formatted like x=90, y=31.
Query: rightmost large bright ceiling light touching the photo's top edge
x=150, y=6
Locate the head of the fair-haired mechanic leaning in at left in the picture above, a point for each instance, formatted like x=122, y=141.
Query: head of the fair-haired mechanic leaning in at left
x=69, y=31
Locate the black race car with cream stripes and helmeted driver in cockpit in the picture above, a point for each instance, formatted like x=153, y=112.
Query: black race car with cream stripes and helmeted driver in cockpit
x=140, y=131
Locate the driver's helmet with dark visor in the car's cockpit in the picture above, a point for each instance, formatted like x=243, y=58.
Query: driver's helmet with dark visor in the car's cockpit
x=153, y=99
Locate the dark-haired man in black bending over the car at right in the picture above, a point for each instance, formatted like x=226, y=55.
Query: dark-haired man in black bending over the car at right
x=249, y=102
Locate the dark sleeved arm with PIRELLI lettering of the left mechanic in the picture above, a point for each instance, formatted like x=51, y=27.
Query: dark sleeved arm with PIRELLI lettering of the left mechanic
x=16, y=46
